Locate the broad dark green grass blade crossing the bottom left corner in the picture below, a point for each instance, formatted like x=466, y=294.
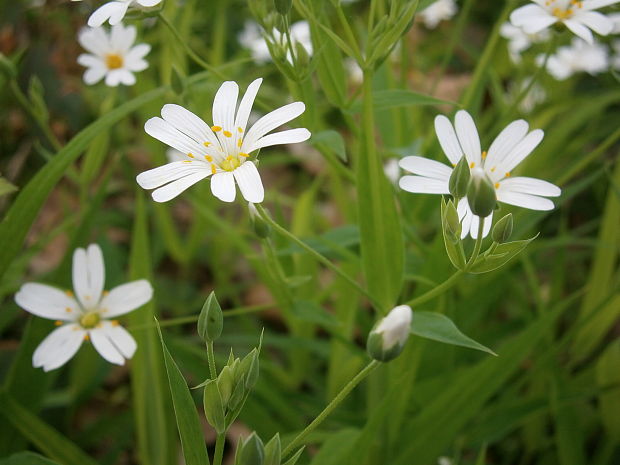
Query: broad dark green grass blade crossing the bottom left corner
x=43, y=436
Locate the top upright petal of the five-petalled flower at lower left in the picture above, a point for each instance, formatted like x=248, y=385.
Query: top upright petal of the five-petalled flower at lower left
x=88, y=275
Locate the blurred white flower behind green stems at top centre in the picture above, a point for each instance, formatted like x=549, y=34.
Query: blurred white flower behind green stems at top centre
x=251, y=37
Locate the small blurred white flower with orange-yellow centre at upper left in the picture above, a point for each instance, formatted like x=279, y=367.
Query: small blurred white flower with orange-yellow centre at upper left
x=112, y=55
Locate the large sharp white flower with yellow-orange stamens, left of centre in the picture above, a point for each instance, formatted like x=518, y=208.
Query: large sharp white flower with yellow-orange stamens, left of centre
x=220, y=151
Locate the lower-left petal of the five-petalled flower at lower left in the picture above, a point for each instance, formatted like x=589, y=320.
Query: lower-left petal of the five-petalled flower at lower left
x=58, y=347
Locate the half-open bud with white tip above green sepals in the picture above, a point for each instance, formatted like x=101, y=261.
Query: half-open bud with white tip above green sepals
x=387, y=339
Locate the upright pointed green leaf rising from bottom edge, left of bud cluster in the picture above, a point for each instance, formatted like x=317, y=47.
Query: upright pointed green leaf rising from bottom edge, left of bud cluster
x=188, y=423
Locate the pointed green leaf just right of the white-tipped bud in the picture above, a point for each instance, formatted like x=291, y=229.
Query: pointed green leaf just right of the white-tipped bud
x=438, y=327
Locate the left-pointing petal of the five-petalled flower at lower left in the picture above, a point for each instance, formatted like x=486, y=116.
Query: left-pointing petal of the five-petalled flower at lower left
x=47, y=302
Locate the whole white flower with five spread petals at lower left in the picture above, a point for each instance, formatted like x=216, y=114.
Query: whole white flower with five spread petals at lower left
x=85, y=315
